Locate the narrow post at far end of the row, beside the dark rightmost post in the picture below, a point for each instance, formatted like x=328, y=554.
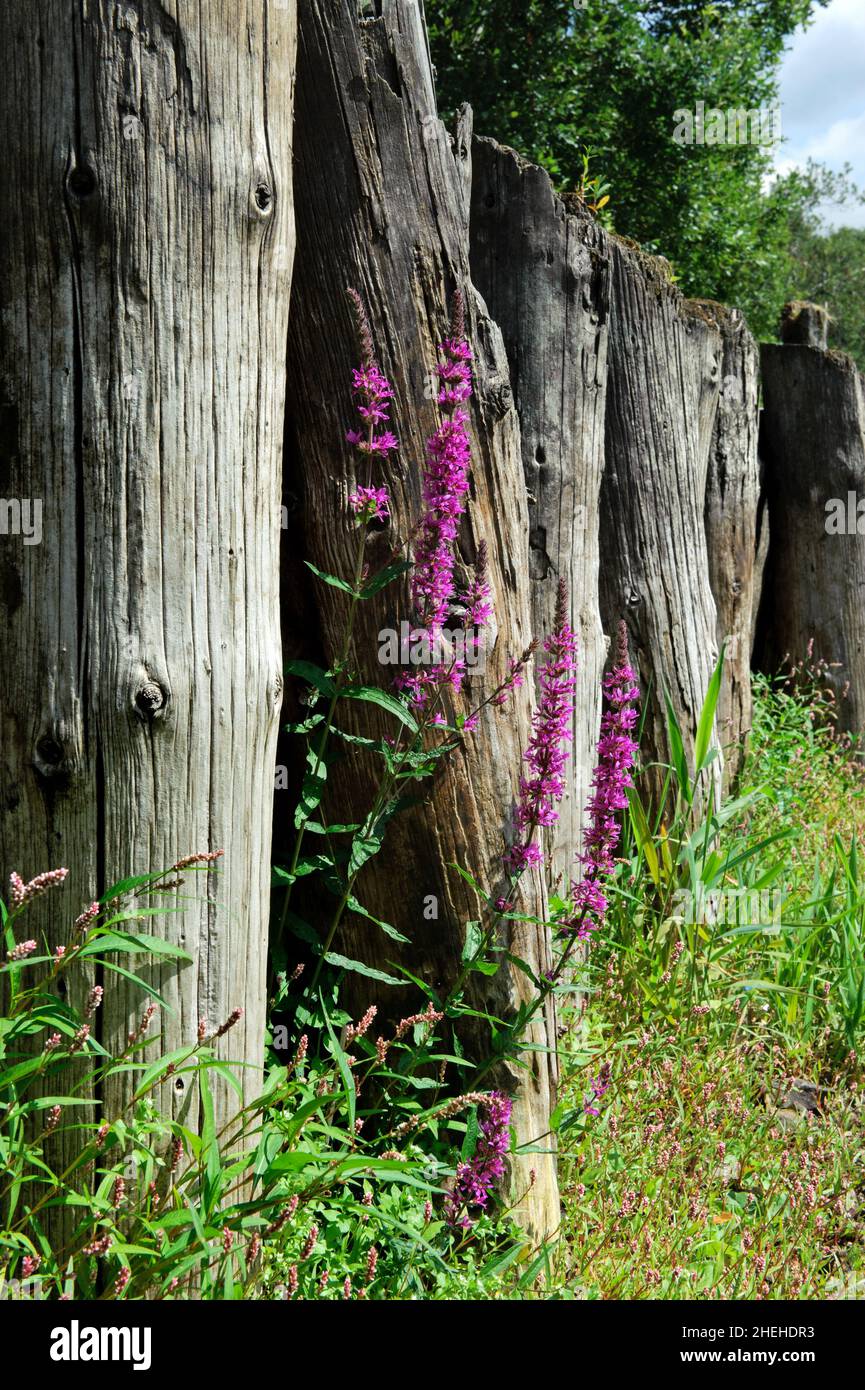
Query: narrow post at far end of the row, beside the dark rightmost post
x=731, y=518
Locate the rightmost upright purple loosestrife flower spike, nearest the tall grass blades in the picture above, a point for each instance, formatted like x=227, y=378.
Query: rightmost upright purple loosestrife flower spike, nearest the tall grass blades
x=611, y=780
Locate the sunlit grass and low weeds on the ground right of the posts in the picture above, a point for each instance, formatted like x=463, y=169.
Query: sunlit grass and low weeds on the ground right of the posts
x=721, y=1159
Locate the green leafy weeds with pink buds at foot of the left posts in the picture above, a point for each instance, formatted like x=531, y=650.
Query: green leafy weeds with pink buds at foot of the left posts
x=293, y=1186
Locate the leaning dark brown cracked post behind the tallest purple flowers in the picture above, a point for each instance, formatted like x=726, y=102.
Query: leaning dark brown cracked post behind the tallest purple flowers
x=391, y=219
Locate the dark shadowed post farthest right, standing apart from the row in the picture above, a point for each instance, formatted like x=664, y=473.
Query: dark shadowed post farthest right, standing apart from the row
x=814, y=589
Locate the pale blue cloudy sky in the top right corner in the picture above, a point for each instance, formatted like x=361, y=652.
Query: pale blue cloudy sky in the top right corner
x=824, y=98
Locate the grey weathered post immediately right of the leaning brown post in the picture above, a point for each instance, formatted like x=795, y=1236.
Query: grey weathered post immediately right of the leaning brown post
x=543, y=268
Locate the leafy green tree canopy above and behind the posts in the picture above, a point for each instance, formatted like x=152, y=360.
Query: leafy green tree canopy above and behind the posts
x=551, y=80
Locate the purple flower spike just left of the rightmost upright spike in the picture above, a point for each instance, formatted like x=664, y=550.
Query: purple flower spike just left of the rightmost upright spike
x=547, y=753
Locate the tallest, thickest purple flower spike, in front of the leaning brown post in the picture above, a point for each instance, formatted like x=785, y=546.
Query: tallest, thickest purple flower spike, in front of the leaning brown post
x=446, y=483
